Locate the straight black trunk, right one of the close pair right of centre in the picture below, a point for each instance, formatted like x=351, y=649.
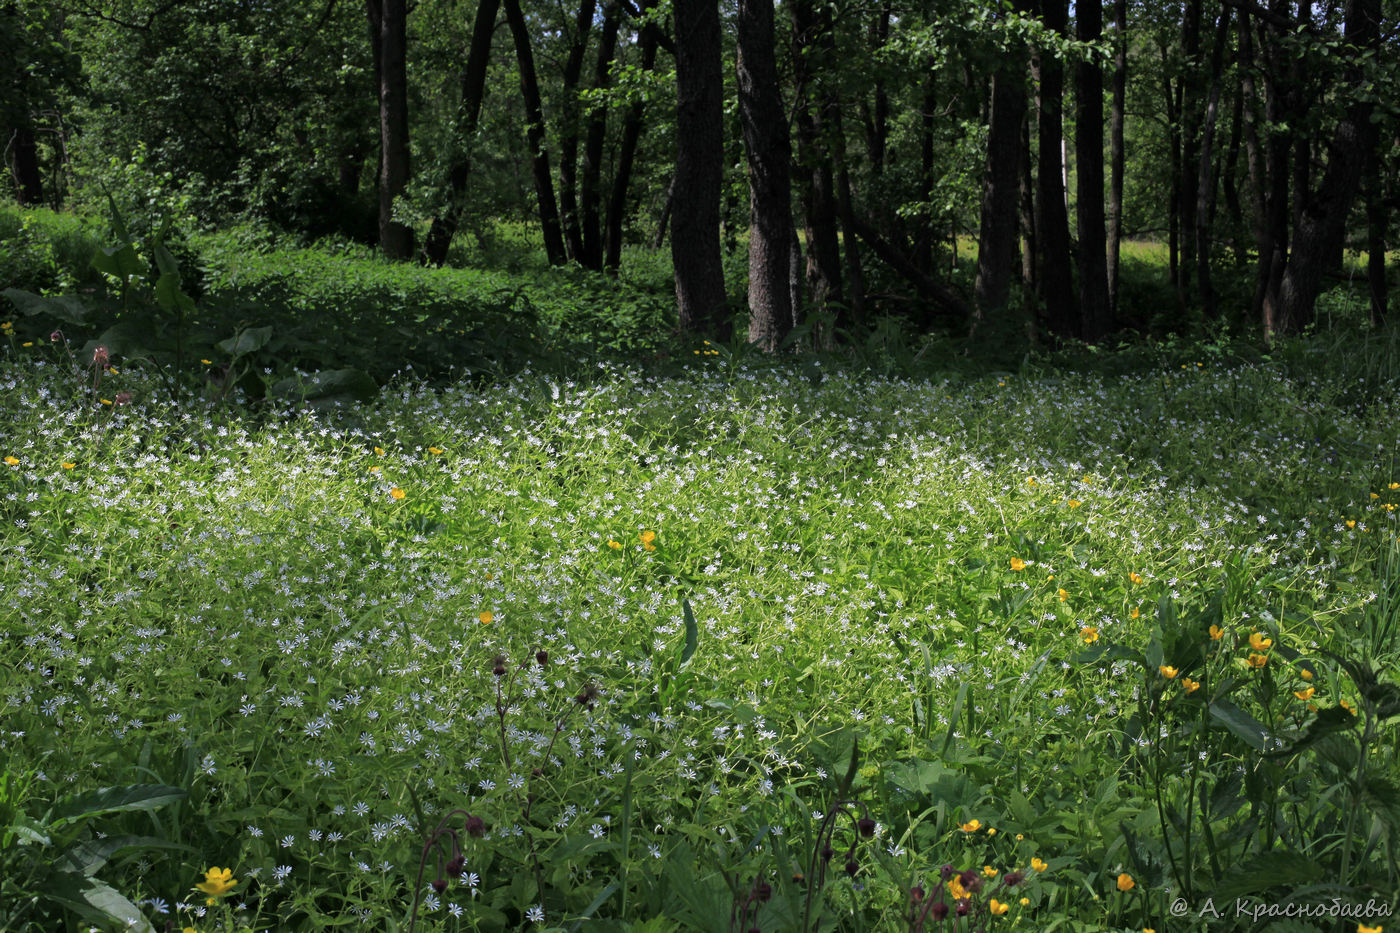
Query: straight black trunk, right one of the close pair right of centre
x=1088, y=159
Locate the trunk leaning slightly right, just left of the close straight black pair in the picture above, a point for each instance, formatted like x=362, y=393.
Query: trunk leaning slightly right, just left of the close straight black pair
x=999, y=233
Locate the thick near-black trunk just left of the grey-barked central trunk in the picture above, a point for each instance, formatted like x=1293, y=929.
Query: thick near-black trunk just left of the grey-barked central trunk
x=695, y=225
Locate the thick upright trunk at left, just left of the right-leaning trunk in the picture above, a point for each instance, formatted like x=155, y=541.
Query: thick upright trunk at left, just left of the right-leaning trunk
x=388, y=19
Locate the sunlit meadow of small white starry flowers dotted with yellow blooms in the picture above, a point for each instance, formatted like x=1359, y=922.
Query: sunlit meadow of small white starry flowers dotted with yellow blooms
x=862, y=641
